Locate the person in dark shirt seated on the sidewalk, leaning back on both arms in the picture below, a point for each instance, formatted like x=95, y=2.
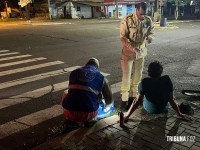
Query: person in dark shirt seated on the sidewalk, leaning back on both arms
x=155, y=91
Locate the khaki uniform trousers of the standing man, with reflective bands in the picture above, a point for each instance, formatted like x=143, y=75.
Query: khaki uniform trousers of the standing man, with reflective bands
x=131, y=75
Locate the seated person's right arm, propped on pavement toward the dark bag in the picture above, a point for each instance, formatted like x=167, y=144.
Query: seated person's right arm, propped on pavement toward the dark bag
x=176, y=108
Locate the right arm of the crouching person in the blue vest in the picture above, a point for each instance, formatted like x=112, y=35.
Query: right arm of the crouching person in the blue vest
x=106, y=91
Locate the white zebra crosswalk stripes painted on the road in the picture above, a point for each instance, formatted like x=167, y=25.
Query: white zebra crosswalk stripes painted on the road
x=37, y=117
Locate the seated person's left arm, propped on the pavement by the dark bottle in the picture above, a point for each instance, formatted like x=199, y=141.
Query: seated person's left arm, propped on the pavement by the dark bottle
x=134, y=106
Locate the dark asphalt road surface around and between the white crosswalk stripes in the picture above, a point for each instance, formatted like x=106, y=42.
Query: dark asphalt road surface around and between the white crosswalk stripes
x=72, y=45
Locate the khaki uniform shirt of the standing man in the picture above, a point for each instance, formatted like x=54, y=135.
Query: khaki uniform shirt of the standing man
x=136, y=32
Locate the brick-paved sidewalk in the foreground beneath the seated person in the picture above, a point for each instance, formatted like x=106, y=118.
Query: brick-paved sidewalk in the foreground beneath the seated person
x=142, y=132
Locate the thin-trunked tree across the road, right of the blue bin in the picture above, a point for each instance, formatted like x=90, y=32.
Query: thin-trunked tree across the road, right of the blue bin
x=177, y=4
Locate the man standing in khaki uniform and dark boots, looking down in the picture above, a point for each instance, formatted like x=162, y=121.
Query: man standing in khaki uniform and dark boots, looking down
x=135, y=30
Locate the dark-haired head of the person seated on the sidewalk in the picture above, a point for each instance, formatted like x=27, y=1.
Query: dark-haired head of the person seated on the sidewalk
x=155, y=69
